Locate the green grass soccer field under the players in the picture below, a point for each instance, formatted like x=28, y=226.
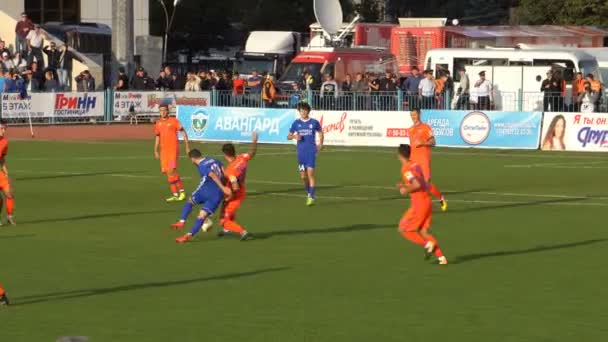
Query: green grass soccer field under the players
x=93, y=256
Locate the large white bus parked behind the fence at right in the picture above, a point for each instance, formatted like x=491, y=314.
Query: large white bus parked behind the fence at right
x=516, y=74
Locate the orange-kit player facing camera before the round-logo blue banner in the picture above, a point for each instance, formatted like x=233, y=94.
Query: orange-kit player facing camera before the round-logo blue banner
x=421, y=142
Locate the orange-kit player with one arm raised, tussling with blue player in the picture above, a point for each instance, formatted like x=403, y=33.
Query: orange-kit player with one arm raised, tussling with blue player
x=235, y=177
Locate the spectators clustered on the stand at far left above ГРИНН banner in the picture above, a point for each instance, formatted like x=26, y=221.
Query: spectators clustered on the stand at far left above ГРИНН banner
x=24, y=69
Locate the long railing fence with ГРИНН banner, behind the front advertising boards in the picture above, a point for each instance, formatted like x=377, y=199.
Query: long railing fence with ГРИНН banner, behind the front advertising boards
x=112, y=106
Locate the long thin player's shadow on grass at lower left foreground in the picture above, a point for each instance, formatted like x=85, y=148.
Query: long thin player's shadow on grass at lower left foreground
x=66, y=295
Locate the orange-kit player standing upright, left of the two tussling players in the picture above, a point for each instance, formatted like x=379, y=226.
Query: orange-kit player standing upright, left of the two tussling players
x=166, y=130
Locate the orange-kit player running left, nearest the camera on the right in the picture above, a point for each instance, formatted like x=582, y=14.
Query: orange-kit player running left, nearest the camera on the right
x=416, y=221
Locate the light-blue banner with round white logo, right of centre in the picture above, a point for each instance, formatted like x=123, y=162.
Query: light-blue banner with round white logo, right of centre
x=519, y=130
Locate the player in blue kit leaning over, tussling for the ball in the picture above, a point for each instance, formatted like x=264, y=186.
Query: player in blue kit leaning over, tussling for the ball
x=209, y=194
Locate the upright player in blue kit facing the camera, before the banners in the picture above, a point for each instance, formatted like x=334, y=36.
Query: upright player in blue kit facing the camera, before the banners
x=304, y=131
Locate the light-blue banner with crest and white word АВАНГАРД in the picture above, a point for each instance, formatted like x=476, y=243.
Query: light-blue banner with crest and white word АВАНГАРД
x=236, y=124
